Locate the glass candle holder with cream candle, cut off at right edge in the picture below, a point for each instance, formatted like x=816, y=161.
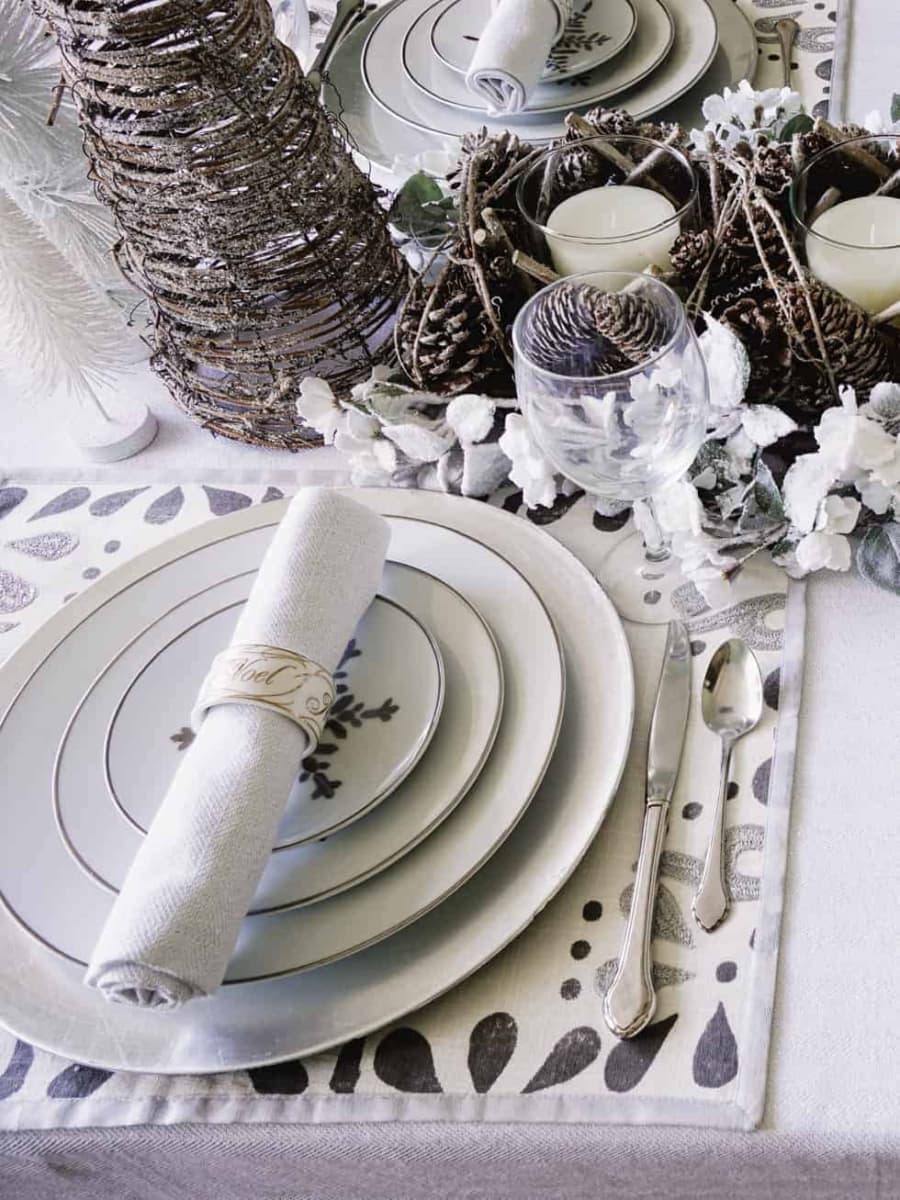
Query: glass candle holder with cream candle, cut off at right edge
x=847, y=206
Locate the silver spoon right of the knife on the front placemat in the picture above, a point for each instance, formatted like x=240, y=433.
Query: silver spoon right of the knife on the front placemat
x=731, y=703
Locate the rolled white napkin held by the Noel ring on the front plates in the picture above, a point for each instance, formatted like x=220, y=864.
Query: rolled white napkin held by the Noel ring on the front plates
x=176, y=922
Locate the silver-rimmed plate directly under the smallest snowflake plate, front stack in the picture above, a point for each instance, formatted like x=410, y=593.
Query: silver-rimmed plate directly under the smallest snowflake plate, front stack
x=149, y=688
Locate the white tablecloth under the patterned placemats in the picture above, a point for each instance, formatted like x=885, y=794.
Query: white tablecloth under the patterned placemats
x=832, y=1126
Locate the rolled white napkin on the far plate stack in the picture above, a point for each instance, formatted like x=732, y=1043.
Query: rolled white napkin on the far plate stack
x=513, y=51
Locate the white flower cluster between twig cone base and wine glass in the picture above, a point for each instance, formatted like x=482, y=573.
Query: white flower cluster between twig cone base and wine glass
x=398, y=437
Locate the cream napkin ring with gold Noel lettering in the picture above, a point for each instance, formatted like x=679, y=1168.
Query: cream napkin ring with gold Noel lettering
x=269, y=677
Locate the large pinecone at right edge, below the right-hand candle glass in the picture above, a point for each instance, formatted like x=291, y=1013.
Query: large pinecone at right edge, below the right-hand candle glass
x=857, y=351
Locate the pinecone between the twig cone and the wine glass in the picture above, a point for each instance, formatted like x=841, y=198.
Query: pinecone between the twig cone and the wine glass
x=445, y=343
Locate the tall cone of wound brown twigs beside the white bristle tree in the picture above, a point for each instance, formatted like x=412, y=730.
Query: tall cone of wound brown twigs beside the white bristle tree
x=261, y=247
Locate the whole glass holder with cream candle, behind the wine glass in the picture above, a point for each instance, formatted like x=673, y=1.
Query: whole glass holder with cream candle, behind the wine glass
x=611, y=203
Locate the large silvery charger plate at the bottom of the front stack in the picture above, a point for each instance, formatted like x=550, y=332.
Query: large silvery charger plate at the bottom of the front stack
x=43, y=998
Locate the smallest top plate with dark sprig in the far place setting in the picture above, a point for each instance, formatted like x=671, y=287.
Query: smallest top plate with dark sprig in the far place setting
x=597, y=33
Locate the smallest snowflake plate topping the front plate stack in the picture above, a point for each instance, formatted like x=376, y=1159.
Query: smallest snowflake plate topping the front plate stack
x=391, y=691
